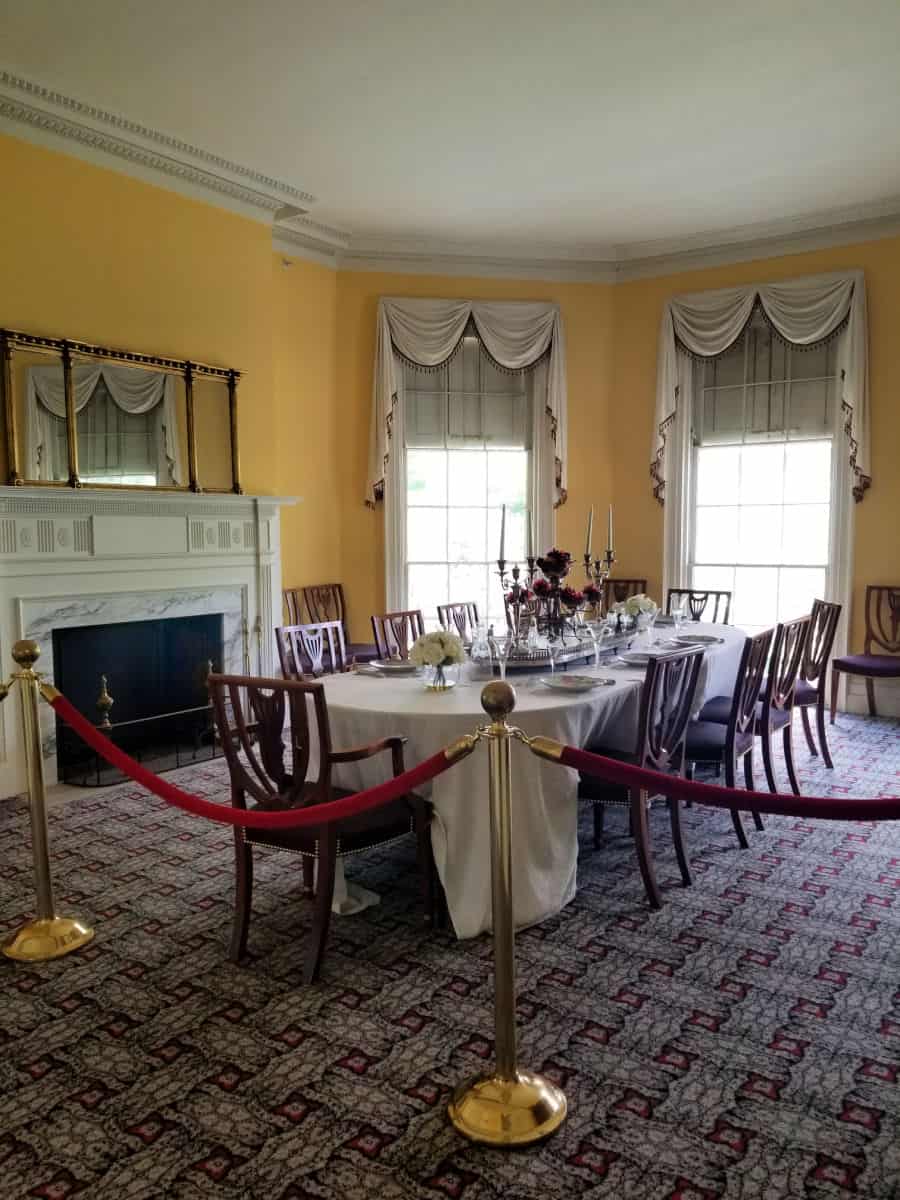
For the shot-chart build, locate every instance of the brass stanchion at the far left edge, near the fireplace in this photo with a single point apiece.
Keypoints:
(49, 935)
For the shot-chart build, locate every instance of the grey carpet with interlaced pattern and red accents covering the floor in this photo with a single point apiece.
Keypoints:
(742, 1043)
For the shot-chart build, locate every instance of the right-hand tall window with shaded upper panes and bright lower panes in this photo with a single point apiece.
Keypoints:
(764, 469)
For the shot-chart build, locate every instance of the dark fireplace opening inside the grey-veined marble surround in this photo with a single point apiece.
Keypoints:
(157, 677)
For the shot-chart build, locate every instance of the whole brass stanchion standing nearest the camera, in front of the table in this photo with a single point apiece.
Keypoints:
(508, 1107)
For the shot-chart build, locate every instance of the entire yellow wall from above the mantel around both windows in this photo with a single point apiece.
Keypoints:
(91, 254)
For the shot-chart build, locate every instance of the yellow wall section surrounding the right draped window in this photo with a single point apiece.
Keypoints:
(639, 307)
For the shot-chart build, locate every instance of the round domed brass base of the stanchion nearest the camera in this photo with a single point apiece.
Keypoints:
(508, 1113)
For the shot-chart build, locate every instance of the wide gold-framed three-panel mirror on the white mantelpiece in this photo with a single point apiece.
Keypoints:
(80, 416)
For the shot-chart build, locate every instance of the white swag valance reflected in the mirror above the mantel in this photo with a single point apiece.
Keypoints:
(133, 389)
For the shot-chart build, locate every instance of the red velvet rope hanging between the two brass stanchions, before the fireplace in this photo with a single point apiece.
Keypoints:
(253, 819)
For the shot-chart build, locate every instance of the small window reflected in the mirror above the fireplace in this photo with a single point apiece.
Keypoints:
(115, 447)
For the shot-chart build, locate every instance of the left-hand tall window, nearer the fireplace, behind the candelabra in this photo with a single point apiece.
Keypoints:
(469, 434)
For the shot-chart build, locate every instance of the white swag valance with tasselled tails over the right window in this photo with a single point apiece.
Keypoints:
(803, 311)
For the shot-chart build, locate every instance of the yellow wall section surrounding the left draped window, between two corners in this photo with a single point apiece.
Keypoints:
(589, 320)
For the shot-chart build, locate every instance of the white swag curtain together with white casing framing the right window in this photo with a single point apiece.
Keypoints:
(705, 325)
